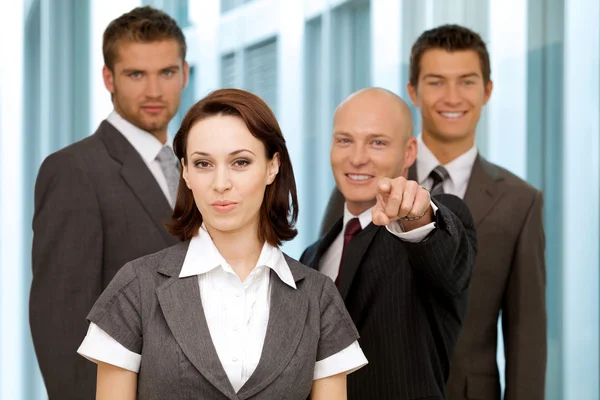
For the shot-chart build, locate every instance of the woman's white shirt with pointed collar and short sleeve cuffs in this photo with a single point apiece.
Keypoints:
(236, 312)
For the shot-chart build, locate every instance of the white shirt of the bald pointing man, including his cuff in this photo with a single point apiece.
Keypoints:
(330, 263)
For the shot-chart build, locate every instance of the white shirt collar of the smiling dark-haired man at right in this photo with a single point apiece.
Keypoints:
(458, 169)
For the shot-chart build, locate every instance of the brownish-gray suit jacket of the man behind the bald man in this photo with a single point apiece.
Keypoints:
(509, 278)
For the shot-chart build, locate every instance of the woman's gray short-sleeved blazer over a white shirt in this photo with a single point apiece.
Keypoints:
(151, 311)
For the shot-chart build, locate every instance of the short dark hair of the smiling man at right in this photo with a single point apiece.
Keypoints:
(450, 38)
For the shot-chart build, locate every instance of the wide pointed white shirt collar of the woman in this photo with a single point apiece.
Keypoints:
(202, 257)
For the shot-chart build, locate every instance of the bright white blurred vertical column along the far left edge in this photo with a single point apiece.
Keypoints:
(13, 327)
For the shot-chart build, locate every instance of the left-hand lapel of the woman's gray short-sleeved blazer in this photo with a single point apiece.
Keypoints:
(181, 305)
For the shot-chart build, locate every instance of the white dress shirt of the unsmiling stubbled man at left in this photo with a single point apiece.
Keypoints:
(147, 145)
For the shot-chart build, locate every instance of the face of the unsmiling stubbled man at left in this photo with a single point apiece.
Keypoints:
(146, 84)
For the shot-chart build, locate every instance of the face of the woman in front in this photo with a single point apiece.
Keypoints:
(227, 171)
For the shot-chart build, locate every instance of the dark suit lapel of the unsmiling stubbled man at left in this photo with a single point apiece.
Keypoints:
(139, 178)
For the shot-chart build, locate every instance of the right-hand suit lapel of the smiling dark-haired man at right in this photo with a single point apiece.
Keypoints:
(482, 190)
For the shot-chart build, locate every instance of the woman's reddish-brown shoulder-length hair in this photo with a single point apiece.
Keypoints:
(279, 210)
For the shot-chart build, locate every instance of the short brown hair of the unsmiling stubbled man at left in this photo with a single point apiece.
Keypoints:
(141, 25)
